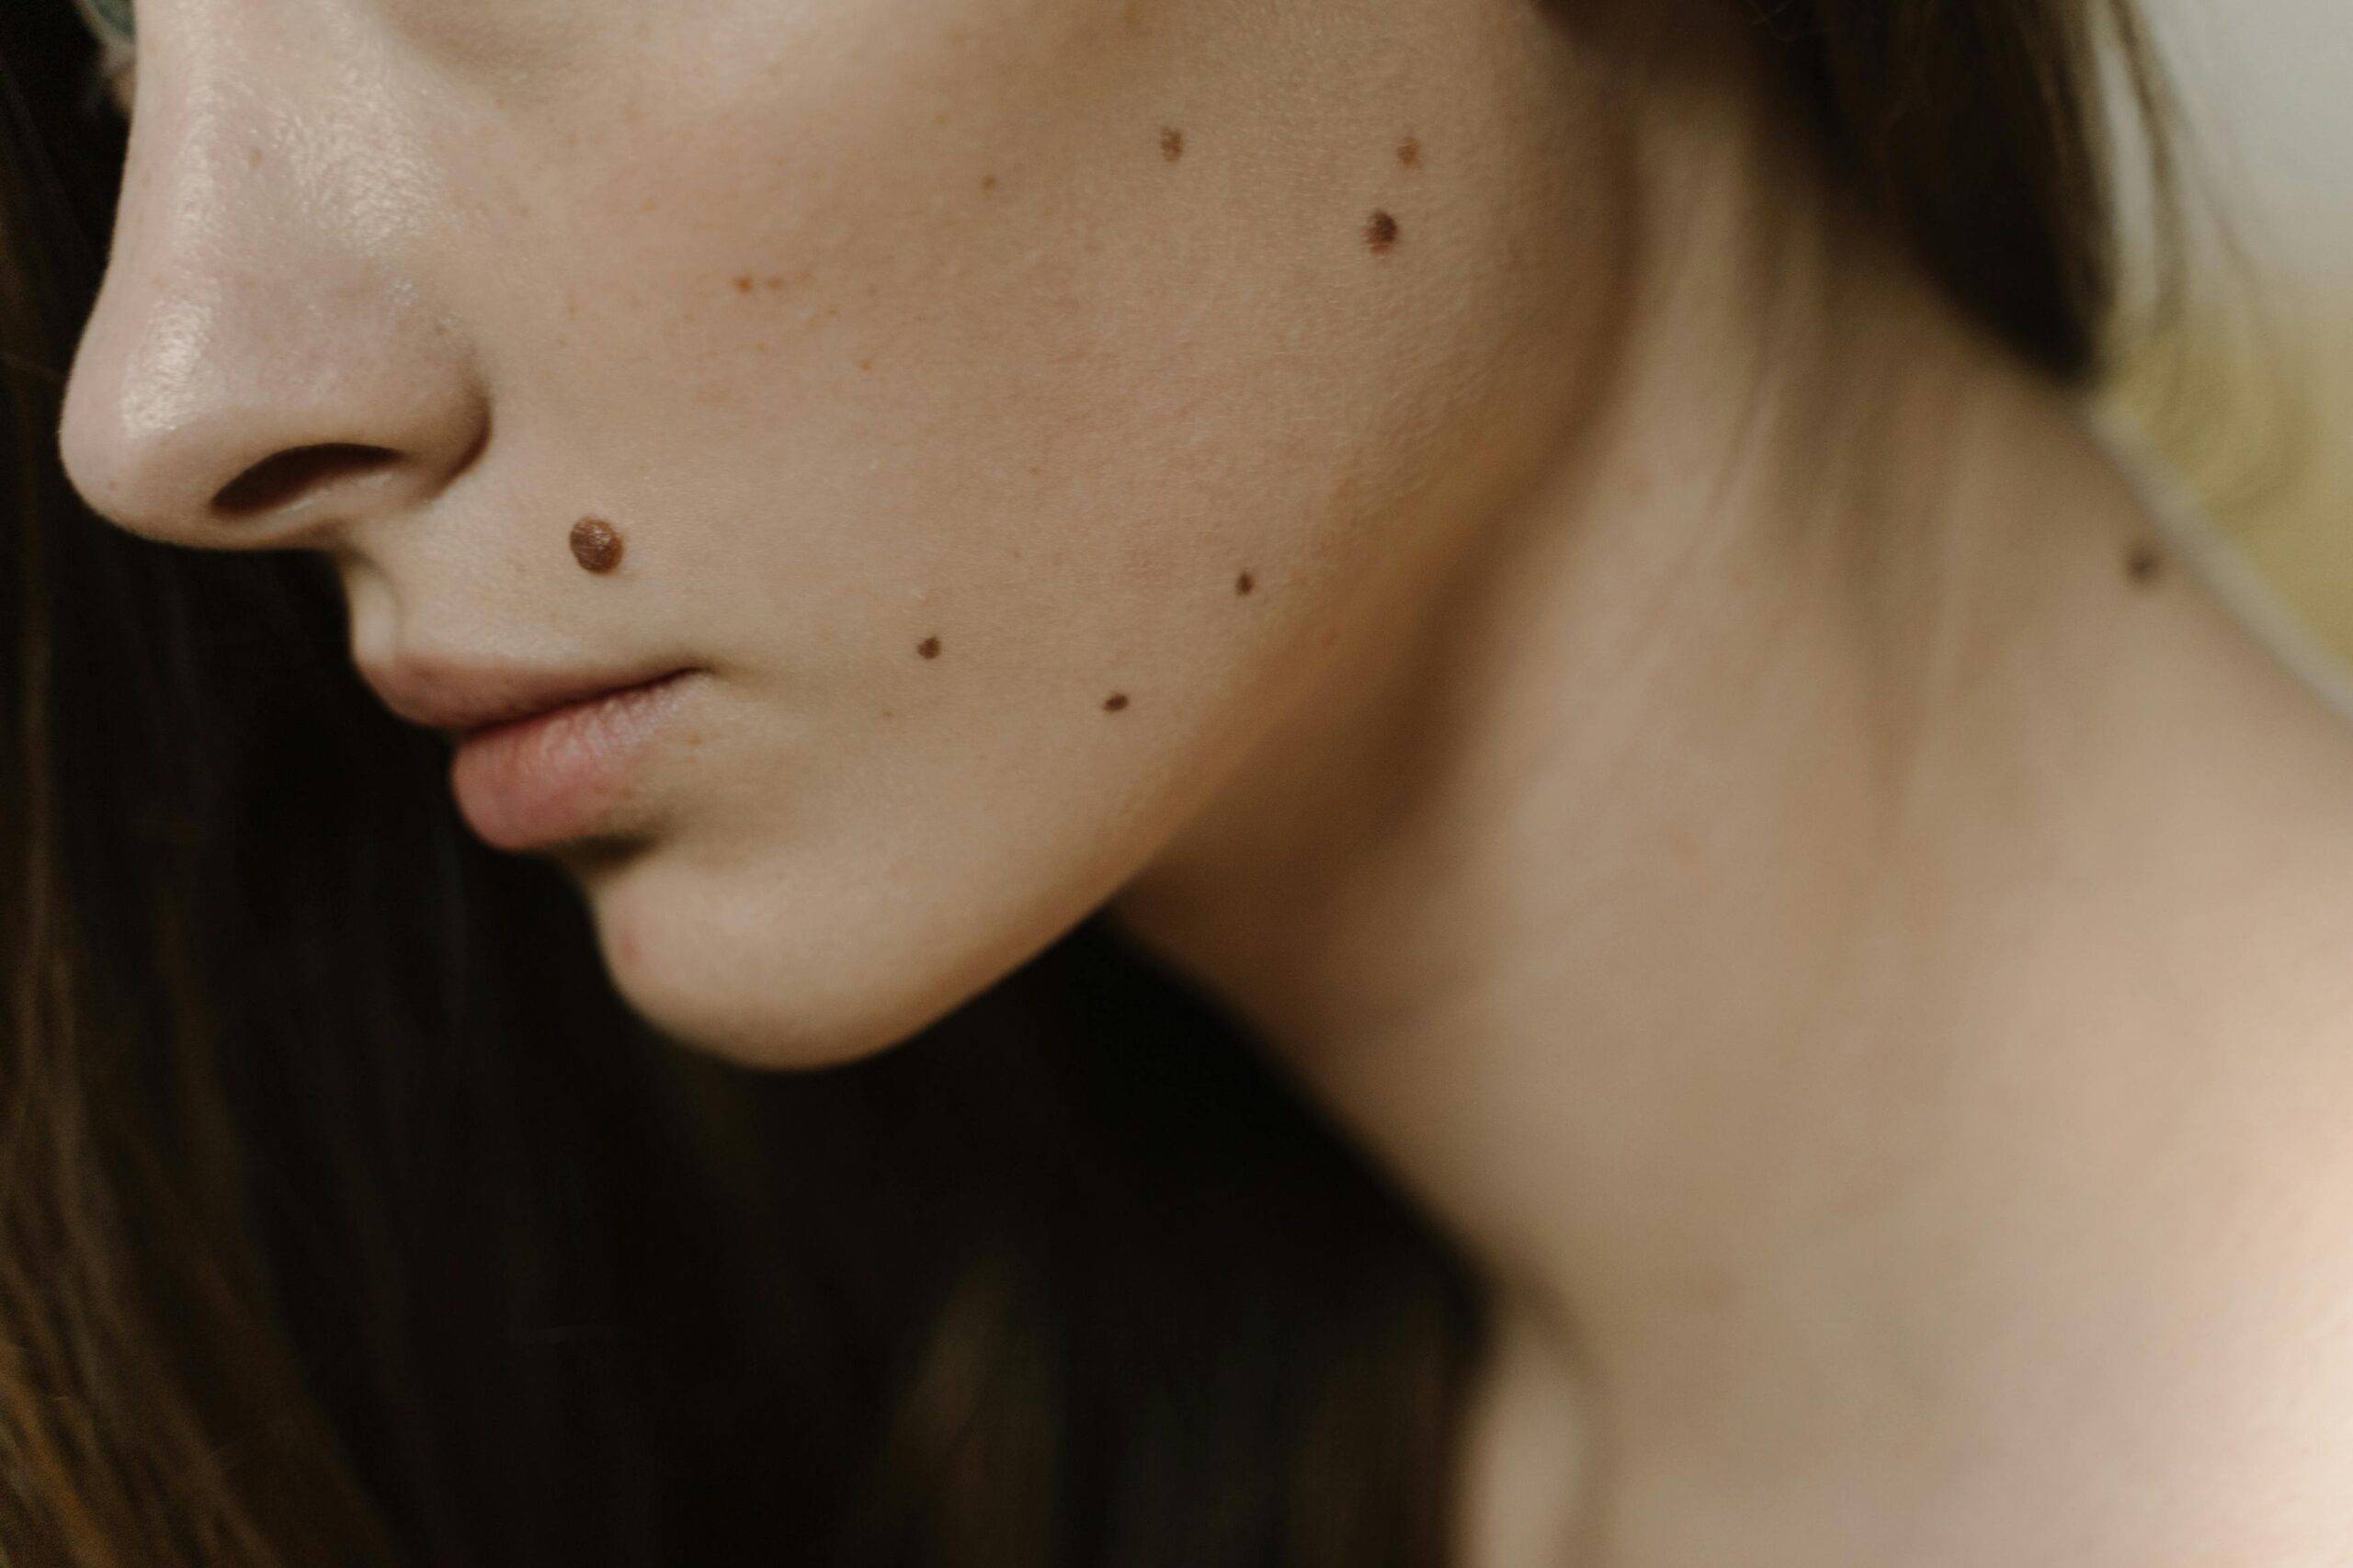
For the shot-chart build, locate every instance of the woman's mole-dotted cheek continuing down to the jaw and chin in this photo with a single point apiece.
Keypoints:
(1013, 430)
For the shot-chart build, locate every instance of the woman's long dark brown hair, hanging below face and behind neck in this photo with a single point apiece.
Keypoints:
(347, 1216)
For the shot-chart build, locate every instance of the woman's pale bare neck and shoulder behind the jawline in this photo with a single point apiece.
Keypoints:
(1839, 950)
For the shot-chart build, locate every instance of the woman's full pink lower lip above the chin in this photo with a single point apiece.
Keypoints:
(559, 776)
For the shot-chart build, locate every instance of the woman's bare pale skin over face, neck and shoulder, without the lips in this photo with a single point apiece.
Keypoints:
(1693, 780)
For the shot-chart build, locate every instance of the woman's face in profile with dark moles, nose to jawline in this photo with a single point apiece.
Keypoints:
(1004, 406)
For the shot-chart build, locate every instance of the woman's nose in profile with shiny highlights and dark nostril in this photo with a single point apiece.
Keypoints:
(267, 366)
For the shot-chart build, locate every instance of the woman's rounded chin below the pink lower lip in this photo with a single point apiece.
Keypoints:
(721, 962)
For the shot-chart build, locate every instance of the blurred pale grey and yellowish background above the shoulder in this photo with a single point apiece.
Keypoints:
(2251, 383)
